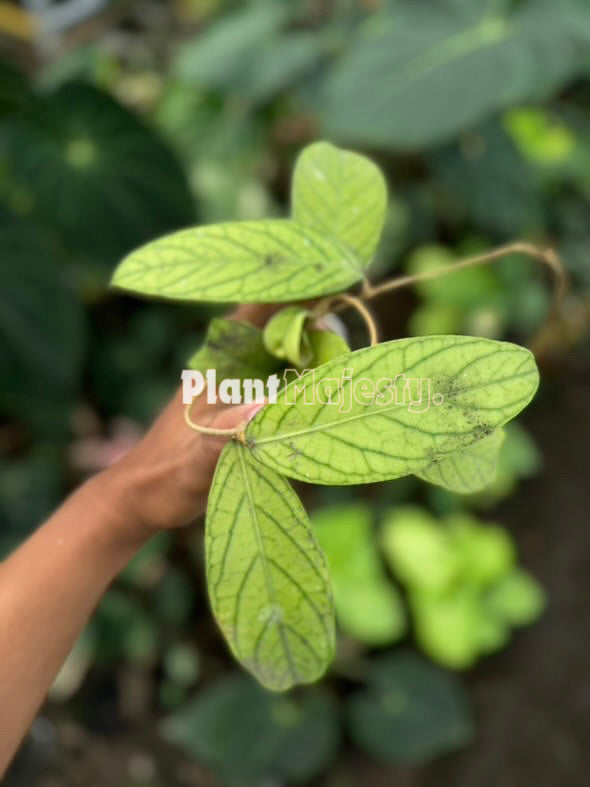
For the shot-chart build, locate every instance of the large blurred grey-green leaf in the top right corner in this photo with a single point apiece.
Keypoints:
(416, 74)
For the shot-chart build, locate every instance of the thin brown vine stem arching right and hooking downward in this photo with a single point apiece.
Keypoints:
(544, 255)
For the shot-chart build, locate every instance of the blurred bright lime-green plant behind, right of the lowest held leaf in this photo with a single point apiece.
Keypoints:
(463, 588)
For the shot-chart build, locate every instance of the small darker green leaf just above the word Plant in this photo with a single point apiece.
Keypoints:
(236, 350)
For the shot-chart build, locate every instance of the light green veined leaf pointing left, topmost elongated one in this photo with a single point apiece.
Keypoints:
(255, 261)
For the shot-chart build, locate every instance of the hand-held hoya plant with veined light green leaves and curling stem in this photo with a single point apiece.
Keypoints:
(431, 406)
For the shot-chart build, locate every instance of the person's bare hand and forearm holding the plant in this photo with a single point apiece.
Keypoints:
(50, 586)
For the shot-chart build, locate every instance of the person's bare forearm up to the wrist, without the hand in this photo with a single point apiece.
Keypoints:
(48, 589)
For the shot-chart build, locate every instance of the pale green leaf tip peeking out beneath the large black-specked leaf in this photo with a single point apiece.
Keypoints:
(469, 470)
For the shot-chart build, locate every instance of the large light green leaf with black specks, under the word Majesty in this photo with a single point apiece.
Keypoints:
(364, 436)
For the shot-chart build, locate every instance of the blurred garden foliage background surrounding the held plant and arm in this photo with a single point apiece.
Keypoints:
(123, 120)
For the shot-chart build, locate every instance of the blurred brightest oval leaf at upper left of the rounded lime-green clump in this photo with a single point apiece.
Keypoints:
(419, 550)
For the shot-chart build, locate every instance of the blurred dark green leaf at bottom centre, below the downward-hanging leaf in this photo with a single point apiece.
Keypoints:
(252, 737)
